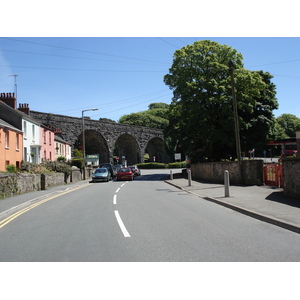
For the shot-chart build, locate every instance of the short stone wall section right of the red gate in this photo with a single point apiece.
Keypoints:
(291, 177)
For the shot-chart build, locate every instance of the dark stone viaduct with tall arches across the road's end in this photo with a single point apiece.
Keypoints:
(108, 139)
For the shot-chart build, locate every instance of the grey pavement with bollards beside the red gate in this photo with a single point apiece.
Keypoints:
(267, 204)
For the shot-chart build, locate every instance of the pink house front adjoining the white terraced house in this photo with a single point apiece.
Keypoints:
(47, 143)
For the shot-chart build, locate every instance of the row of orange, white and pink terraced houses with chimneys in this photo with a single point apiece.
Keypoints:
(34, 141)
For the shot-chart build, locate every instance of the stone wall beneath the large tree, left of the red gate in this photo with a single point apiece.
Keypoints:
(252, 172)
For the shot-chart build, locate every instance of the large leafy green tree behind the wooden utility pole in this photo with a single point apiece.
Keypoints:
(201, 119)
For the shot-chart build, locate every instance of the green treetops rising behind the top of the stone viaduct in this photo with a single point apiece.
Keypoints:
(155, 117)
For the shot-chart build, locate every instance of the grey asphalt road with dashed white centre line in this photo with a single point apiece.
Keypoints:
(140, 221)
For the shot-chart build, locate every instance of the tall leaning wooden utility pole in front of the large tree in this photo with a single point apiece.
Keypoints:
(236, 120)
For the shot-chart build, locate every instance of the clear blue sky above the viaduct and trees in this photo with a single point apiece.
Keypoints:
(121, 75)
